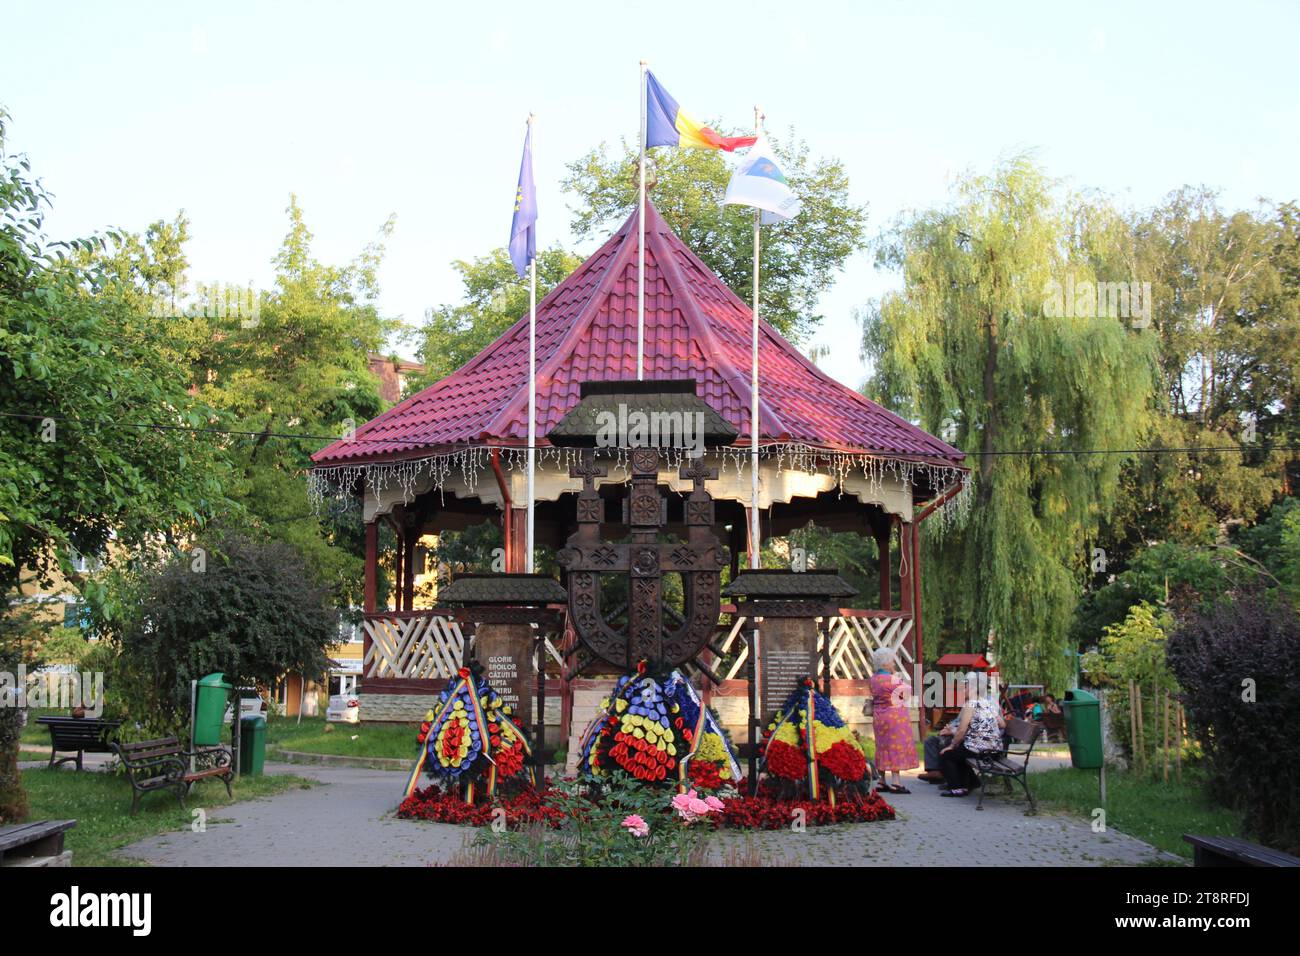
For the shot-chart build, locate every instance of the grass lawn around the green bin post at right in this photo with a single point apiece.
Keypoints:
(1141, 806)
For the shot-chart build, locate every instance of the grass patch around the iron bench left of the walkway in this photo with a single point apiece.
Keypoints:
(102, 803)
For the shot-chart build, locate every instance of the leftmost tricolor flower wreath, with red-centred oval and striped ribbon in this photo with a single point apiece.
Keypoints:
(471, 741)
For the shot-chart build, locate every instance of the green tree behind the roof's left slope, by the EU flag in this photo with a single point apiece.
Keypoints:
(495, 300)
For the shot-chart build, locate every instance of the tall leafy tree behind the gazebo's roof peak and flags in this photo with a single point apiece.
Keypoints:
(800, 258)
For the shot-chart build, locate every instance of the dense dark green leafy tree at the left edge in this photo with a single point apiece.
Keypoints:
(80, 371)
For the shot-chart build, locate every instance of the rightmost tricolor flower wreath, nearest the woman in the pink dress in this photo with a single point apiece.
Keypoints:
(809, 743)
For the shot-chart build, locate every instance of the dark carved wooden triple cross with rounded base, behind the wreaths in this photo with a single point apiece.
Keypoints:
(644, 560)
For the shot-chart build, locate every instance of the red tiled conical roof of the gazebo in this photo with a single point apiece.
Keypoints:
(587, 330)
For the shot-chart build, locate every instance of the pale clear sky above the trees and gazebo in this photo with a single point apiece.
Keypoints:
(135, 111)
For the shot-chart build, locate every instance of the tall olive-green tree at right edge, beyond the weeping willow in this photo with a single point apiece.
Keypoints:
(1227, 318)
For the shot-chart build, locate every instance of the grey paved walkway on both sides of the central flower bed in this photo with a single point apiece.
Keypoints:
(349, 820)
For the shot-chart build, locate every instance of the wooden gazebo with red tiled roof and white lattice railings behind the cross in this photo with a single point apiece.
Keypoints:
(454, 456)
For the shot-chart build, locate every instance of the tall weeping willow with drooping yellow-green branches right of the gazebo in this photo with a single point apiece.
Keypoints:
(999, 343)
